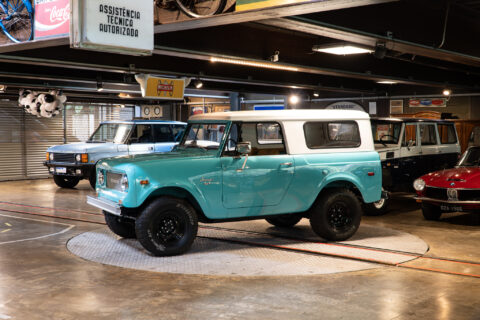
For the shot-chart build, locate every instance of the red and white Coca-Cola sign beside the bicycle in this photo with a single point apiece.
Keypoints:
(52, 18)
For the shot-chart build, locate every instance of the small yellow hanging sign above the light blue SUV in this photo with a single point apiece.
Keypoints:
(161, 88)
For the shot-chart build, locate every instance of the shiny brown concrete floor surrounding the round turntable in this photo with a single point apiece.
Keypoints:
(41, 279)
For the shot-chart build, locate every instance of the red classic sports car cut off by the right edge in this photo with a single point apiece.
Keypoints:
(456, 189)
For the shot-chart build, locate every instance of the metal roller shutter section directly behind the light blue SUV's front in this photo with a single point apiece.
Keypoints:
(40, 134)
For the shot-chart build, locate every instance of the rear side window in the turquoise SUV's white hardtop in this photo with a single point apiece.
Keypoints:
(338, 134)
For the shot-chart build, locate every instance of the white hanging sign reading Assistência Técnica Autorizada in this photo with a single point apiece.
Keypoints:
(119, 26)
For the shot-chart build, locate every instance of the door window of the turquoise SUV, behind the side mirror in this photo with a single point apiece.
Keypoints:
(266, 138)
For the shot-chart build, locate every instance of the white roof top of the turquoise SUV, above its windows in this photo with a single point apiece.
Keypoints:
(284, 115)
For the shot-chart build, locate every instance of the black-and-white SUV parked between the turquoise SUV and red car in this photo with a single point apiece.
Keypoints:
(409, 148)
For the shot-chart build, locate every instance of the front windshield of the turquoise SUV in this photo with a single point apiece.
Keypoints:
(206, 136)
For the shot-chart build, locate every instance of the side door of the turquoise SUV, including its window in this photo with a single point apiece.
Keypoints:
(262, 178)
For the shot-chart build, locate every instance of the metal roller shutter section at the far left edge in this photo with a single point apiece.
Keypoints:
(11, 142)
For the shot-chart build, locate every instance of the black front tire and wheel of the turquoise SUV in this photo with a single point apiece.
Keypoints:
(167, 226)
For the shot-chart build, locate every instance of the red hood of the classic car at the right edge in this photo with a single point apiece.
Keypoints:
(461, 177)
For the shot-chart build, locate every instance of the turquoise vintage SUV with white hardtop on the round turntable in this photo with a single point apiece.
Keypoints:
(281, 166)
